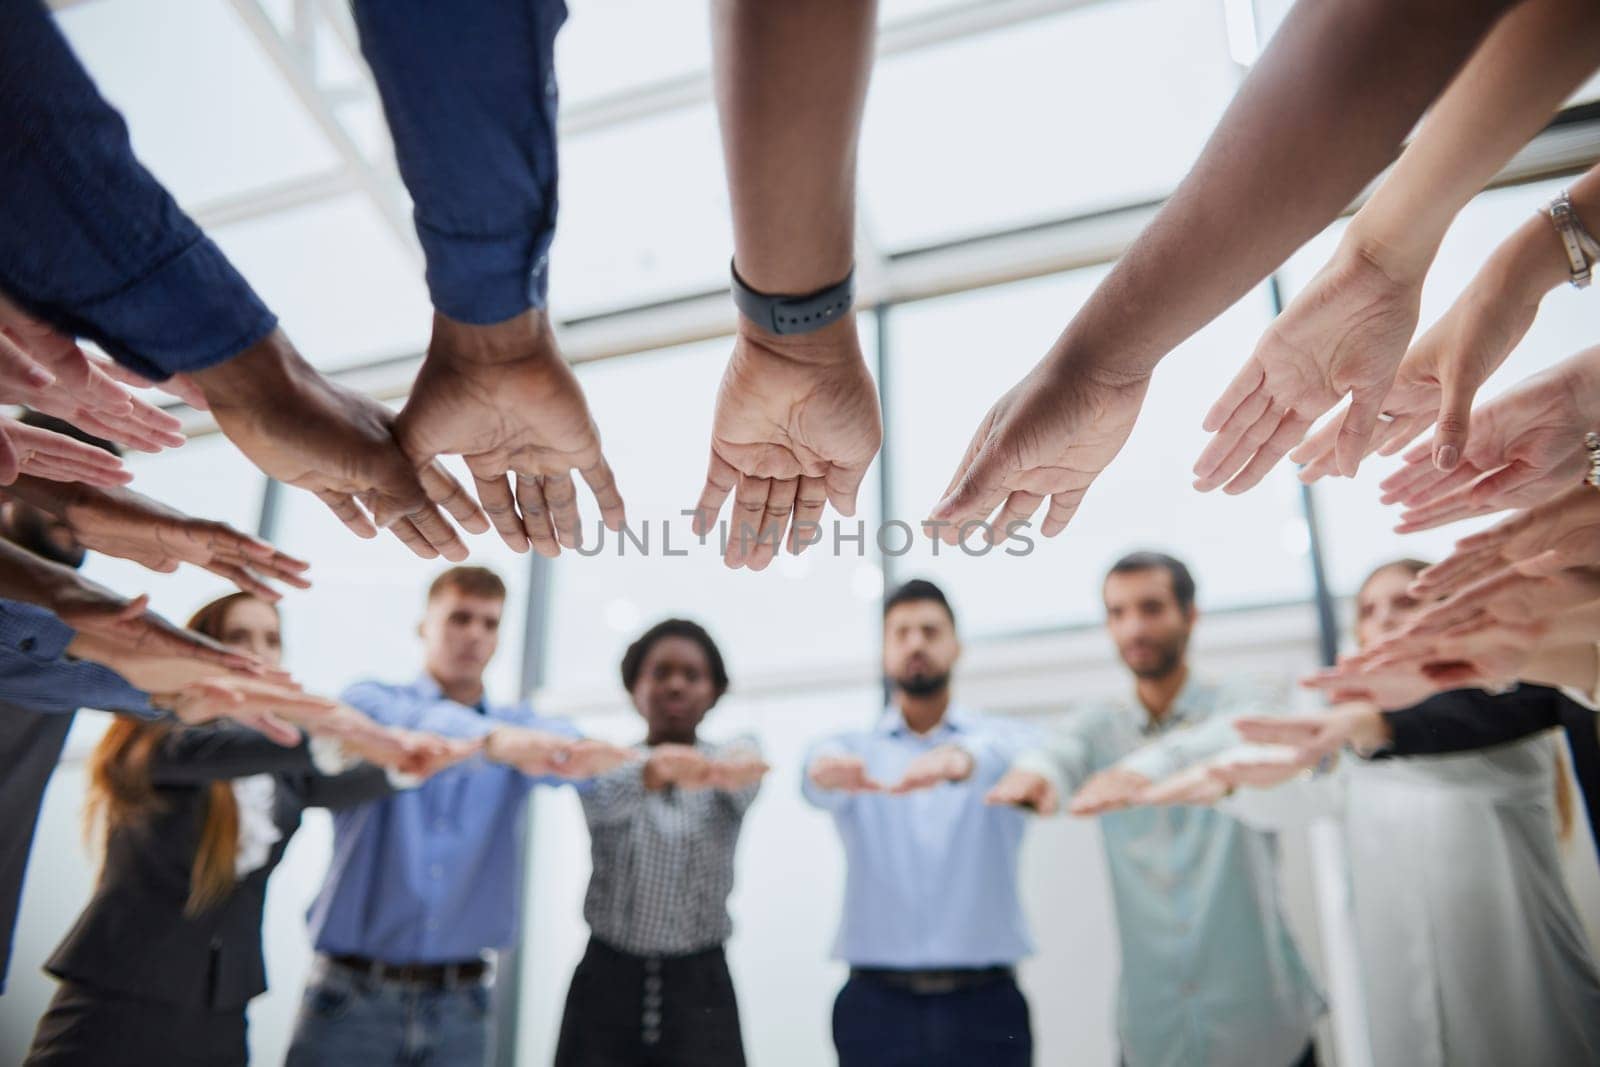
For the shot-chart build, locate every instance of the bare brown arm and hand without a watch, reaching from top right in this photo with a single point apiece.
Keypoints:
(1308, 129)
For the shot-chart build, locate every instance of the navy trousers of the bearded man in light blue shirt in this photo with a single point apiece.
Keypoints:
(878, 1025)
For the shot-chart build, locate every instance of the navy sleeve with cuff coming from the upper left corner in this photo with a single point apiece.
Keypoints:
(92, 242)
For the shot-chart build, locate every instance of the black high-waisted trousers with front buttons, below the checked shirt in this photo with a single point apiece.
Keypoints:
(650, 1012)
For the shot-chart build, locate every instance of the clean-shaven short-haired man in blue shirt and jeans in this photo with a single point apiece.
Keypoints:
(423, 884)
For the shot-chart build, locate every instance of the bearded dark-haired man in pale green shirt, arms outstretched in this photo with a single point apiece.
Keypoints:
(1210, 973)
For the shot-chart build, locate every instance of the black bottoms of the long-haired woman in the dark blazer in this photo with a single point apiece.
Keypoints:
(97, 1028)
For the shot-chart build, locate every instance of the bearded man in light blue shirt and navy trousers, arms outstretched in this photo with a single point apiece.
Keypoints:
(932, 927)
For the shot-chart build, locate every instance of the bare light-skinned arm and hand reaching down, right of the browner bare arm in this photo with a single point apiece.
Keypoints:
(1350, 329)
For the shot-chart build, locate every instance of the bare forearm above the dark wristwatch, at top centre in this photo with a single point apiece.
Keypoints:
(791, 86)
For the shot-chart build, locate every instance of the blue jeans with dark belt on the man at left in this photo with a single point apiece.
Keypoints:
(348, 1018)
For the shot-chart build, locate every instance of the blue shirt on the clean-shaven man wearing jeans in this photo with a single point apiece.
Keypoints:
(430, 874)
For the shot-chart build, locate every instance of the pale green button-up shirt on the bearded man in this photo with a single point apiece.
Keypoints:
(1210, 973)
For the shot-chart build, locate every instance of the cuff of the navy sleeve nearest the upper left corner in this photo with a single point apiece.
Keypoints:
(191, 313)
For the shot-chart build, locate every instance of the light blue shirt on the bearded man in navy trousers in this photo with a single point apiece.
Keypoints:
(930, 876)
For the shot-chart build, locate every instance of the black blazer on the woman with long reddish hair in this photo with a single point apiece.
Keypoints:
(135, 937)
